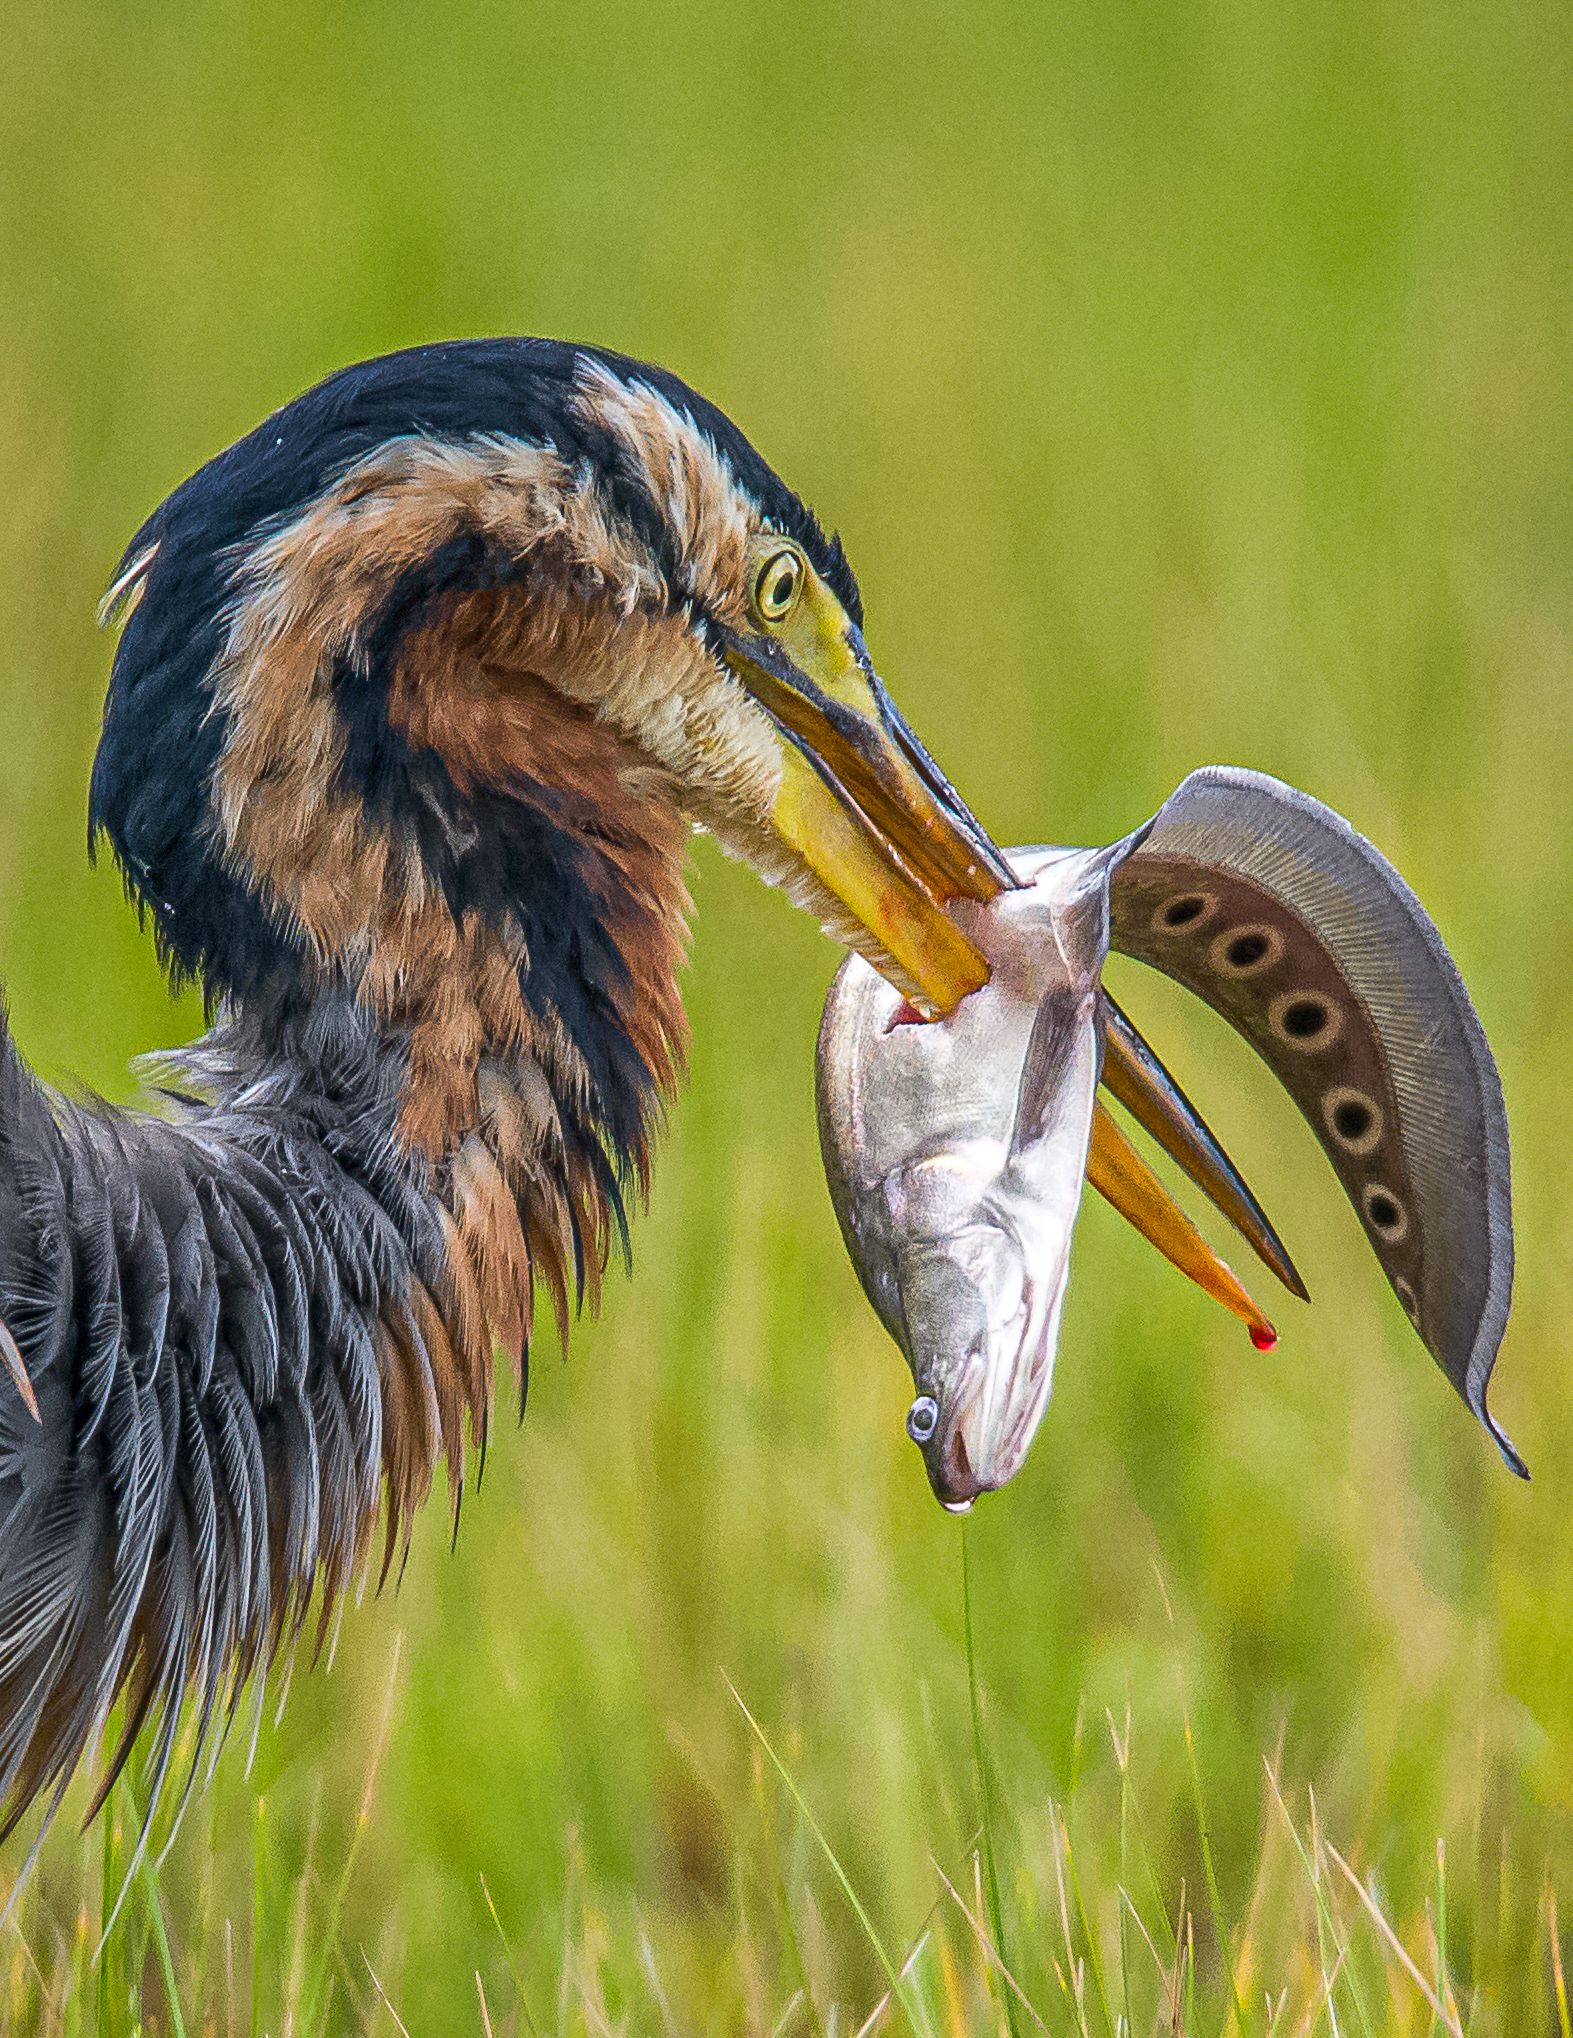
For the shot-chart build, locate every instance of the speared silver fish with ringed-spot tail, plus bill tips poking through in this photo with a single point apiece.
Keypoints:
(957, 1150)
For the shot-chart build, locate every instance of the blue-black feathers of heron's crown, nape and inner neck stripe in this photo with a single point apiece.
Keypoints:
(148, 800)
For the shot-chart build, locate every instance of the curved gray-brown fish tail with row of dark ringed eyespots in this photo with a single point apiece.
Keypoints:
(1291, 924)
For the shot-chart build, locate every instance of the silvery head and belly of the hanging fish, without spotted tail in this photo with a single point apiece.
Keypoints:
(957, 1155)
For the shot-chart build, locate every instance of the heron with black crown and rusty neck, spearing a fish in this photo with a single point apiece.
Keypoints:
(419, 694)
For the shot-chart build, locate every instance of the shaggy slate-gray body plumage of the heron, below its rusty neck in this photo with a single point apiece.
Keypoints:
(201, 1309)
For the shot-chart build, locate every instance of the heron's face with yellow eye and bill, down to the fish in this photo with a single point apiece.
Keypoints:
(757, 694)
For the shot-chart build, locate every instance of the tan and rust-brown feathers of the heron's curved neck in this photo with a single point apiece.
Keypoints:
(498, 1097)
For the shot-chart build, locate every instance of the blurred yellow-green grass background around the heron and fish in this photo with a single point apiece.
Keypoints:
(1189, 384)
